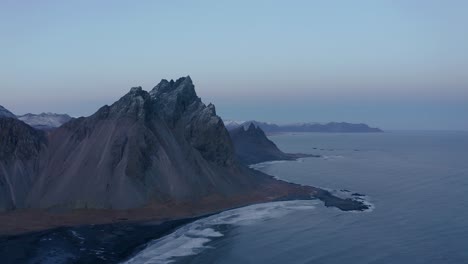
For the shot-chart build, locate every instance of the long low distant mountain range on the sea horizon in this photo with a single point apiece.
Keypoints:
(331, 127)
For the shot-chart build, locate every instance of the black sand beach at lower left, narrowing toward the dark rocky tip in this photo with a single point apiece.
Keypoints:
(111, 242)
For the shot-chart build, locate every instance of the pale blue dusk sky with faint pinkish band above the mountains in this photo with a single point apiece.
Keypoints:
(391, 64)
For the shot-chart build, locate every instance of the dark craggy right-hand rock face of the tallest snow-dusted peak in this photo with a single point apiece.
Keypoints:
(191, 120)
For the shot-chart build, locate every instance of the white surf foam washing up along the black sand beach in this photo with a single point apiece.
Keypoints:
(191, 239)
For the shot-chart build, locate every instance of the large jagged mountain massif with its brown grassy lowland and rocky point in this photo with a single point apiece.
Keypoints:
(151, 155)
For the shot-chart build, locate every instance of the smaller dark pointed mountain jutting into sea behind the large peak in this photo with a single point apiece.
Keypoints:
(252, 146)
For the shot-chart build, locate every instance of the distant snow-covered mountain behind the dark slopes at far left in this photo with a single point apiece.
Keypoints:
(45, 121)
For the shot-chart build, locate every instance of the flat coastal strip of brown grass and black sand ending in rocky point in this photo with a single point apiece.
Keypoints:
(92, 236)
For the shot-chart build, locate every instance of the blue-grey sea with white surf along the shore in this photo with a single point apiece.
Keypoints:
(417, 183)
